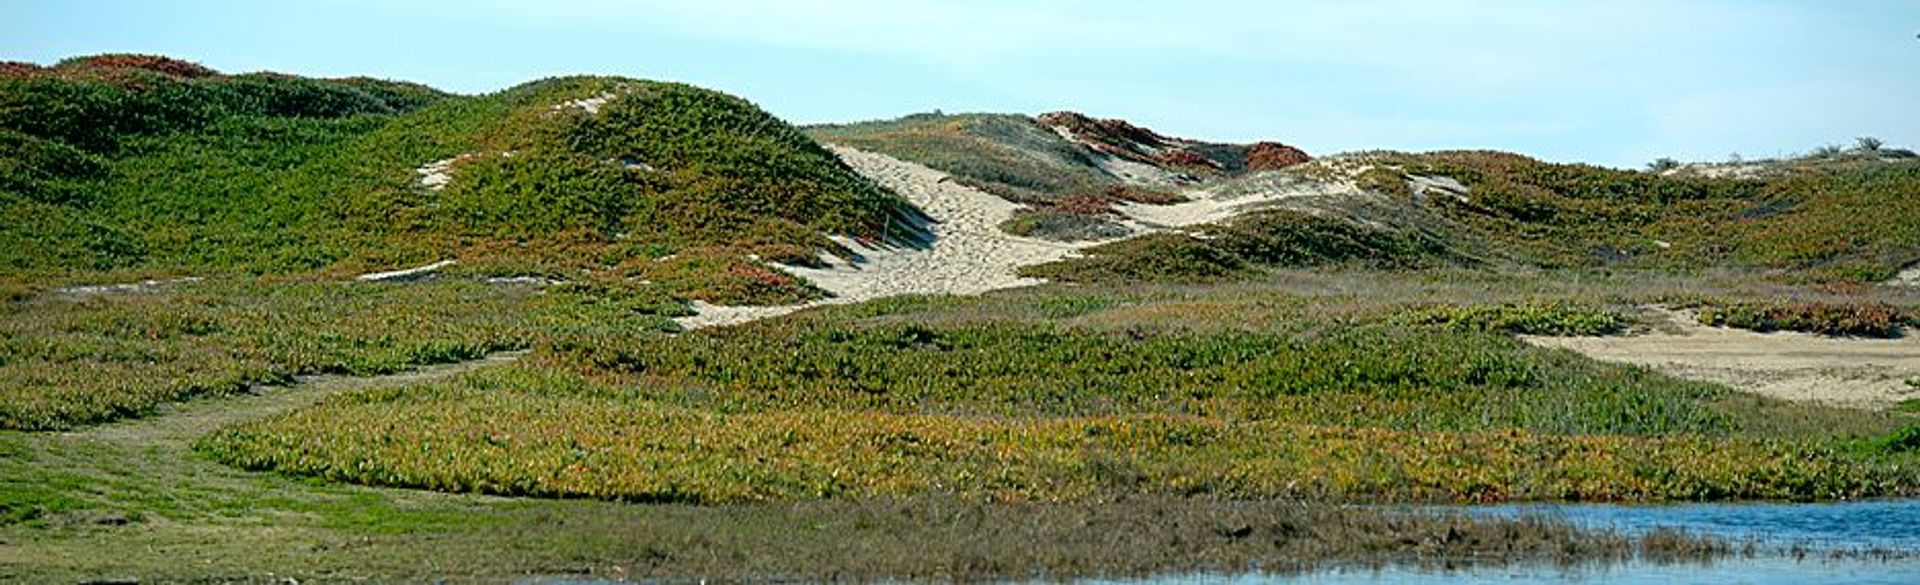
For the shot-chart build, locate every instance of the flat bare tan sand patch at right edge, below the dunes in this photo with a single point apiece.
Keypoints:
(1787, 365)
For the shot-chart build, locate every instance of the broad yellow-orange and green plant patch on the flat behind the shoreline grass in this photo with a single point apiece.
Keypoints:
(901, 400)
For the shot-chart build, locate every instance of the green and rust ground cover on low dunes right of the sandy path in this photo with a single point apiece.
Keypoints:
(1831, 225)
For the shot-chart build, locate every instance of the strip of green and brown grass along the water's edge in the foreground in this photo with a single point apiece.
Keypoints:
(114, 511)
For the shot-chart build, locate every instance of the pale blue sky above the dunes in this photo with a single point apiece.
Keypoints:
(1616, 83)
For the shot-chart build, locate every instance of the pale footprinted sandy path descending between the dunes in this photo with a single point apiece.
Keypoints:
(971, 254)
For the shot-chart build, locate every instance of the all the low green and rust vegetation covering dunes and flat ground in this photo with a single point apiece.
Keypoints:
(1184, 400)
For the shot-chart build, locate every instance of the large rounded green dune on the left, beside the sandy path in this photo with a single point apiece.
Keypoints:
(158, 168)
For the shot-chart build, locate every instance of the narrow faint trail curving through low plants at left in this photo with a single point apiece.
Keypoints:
(176, 427)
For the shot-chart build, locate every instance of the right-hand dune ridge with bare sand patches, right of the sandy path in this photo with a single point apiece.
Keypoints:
(1212, 212)
